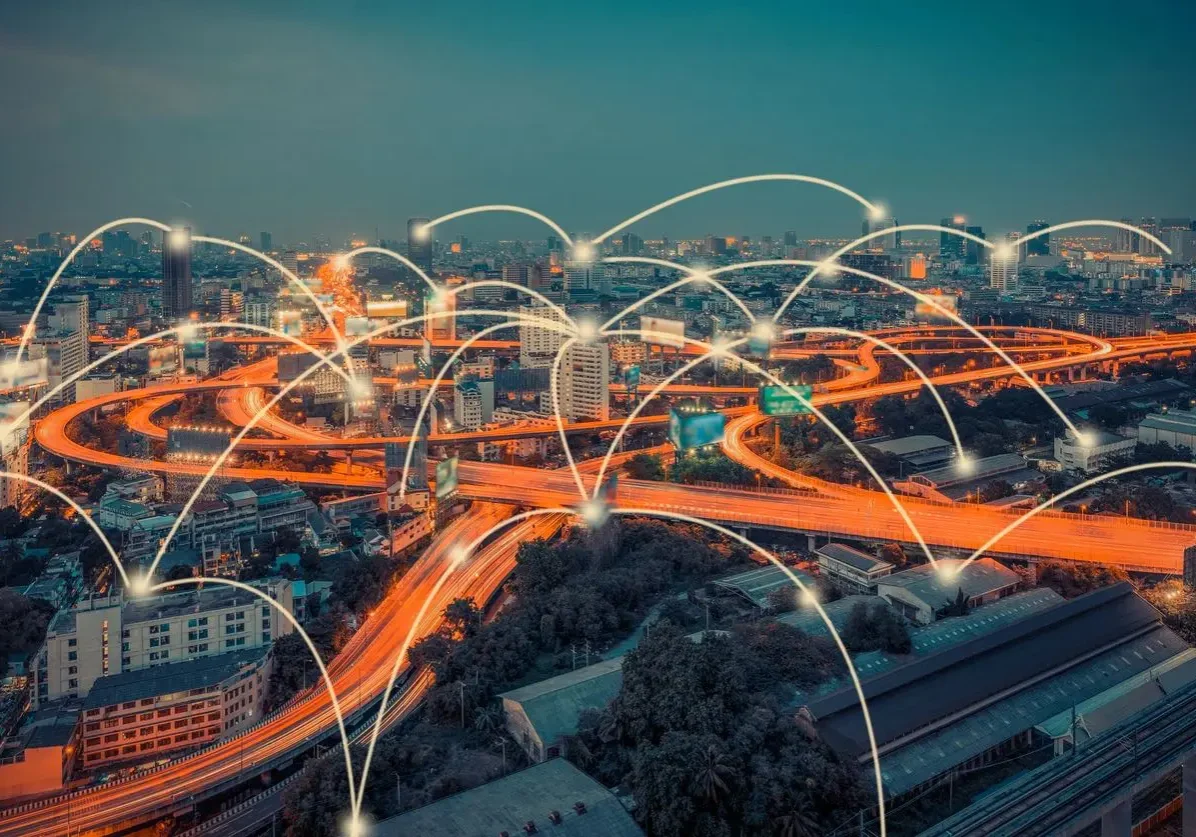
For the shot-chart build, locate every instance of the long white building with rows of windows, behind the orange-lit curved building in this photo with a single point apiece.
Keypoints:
(100, 638)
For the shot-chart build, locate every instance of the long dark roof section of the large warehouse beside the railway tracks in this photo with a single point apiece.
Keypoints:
(932, 688)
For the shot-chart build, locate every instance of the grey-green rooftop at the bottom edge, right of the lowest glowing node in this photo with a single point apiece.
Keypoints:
(508, 804)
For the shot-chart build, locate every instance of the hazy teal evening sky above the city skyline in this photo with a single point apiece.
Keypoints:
(335, 118)
